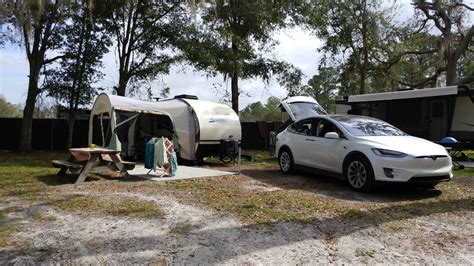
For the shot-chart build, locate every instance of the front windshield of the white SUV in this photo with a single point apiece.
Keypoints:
(367, 126)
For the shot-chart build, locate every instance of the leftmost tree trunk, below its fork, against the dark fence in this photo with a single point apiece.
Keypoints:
(28, 111)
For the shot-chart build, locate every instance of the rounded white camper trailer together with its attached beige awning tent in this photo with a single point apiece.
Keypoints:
(196, 126)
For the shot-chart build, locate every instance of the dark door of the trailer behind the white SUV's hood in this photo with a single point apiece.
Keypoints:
(438, 119)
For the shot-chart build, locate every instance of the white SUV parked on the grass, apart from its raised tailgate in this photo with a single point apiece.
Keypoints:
(362, 150)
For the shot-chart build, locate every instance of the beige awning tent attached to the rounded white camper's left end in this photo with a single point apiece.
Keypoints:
(127, 124)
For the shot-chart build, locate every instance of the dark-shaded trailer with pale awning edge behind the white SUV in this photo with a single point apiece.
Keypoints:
(431, 113)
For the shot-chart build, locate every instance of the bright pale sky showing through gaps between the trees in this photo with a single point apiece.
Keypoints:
(296, 46)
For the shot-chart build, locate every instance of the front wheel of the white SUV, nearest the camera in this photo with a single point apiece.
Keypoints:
(359, 174)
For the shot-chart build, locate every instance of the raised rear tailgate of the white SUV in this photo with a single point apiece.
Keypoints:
(299, 107)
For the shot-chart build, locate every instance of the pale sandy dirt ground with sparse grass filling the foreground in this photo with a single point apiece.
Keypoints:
(395, 225)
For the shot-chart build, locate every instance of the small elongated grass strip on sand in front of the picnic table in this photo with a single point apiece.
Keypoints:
(125, 206)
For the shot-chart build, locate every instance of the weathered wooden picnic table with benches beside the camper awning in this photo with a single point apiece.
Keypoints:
(85, 160)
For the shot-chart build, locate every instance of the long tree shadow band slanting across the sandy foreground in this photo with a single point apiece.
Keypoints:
(222, 244)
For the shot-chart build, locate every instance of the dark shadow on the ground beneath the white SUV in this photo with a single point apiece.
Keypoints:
(338, 188)
